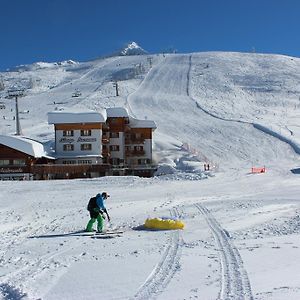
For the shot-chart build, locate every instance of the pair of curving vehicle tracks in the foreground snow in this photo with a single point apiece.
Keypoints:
(235, 283)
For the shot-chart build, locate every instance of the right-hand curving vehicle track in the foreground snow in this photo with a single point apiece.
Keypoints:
(235, 282)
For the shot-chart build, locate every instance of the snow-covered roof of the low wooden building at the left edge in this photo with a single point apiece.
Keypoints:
(25, 145)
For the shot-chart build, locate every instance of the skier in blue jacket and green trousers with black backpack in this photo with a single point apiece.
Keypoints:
(97, 208)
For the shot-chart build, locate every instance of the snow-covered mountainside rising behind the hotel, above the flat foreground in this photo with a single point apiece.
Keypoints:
(231, 109)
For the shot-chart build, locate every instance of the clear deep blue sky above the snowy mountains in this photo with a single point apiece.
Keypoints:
(56, 30)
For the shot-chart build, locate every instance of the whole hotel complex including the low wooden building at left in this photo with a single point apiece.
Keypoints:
(87, 144)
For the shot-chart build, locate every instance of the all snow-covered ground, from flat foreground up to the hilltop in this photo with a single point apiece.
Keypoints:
(241, 239)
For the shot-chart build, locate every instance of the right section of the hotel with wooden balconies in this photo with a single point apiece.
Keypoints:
(129, 145)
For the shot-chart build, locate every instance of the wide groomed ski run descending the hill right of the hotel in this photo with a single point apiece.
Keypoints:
(169, 88)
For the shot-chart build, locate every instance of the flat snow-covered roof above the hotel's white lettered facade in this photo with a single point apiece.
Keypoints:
(72, 116)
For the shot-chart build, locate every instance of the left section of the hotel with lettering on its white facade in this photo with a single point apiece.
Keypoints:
(78, 144)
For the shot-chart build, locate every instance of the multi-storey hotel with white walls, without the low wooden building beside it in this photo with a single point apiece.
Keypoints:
(109, 142)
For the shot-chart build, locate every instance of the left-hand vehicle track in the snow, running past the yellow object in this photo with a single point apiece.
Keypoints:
(164, 271)
